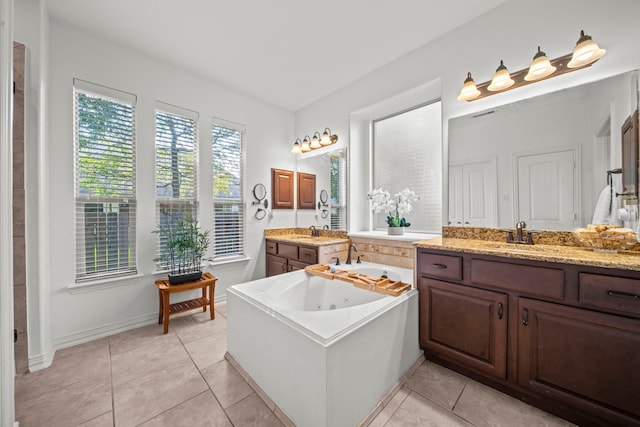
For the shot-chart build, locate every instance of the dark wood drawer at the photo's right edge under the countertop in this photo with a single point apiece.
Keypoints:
(610, 293)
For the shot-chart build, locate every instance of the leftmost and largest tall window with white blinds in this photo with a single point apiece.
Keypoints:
(105, 192)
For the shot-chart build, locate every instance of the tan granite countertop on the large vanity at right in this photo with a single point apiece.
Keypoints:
(626, 260)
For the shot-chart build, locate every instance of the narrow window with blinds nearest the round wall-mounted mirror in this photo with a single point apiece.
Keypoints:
(228, 182)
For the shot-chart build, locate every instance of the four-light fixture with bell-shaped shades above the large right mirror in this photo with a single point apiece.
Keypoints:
(585, 54)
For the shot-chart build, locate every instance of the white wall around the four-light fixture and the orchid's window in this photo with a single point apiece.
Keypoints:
(511, 32)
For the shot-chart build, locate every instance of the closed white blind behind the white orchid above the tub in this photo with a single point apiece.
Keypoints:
(407, 153)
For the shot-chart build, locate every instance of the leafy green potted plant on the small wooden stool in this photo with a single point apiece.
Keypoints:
(184, 246)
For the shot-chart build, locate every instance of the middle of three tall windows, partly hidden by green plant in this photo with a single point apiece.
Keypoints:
(176, 169)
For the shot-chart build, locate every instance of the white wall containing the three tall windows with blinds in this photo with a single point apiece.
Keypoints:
(75, 53)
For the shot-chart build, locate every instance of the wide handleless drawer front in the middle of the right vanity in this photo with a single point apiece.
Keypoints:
(526, 279)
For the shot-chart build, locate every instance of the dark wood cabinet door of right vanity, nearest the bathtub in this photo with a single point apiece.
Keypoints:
(465, 325)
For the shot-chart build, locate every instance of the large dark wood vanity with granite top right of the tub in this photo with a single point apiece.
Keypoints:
(556, 326)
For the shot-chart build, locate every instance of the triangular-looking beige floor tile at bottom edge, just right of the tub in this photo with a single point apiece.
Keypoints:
(415, 410)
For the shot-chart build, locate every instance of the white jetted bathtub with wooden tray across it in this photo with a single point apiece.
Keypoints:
(323, 350)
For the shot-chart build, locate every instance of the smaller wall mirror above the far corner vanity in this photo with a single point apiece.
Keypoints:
(330, 169)
